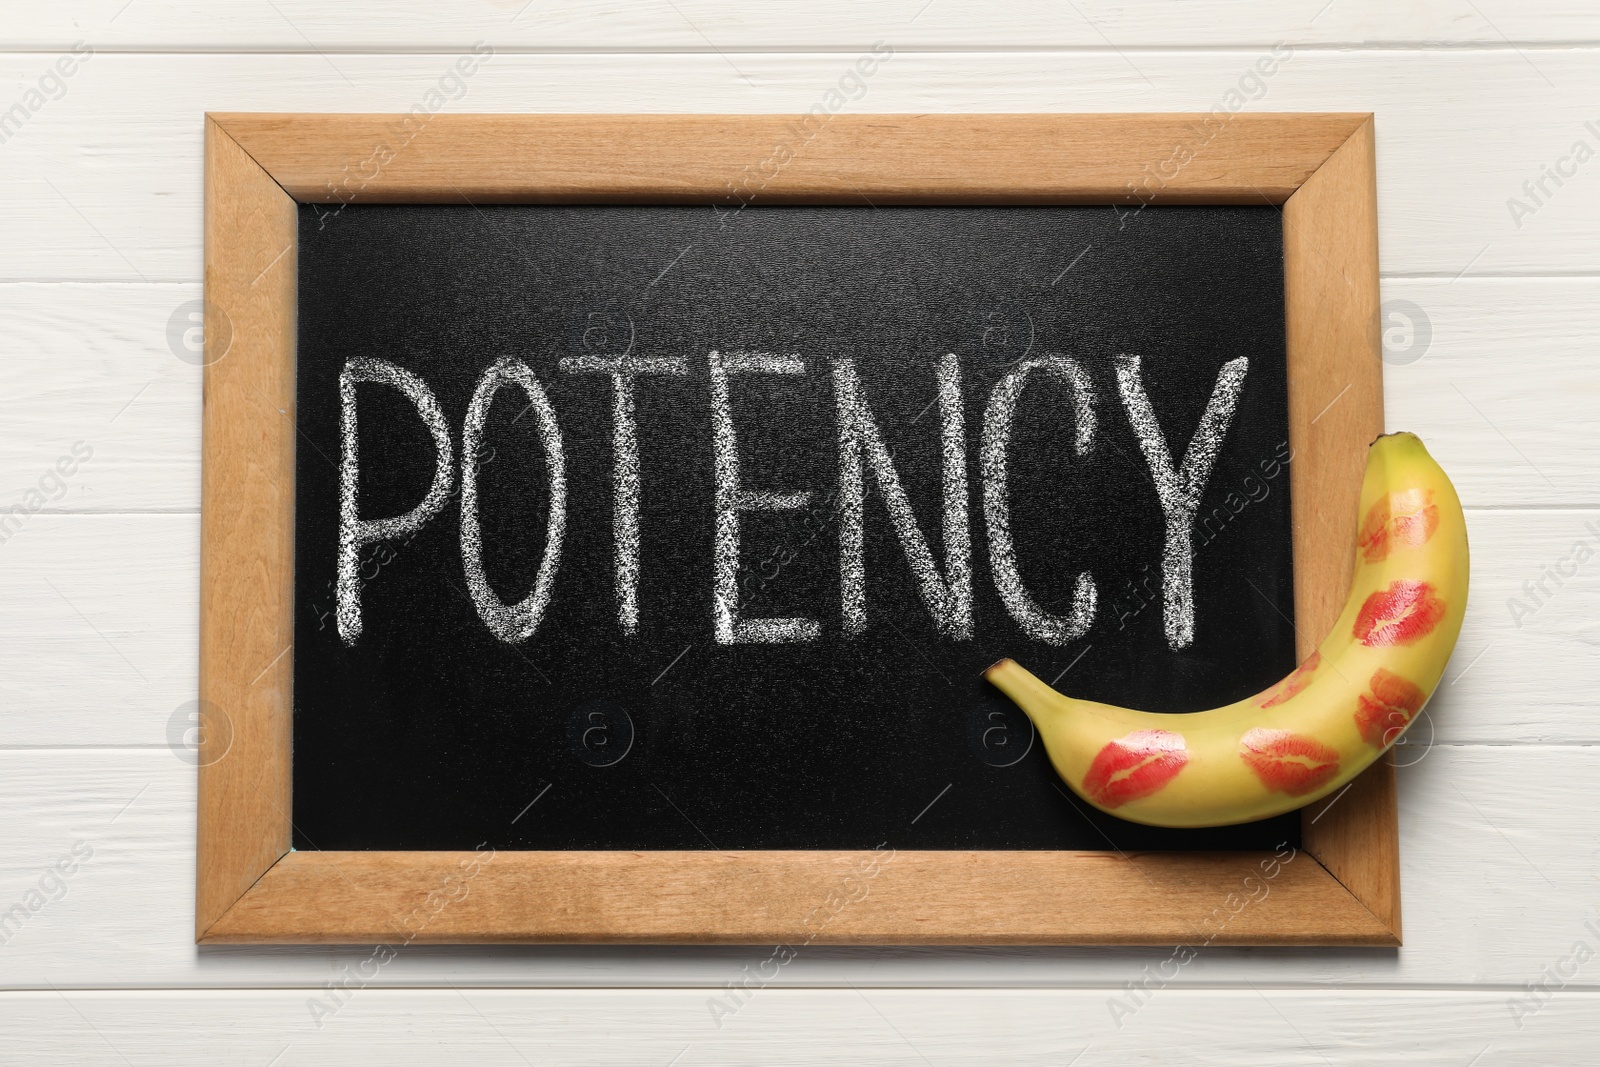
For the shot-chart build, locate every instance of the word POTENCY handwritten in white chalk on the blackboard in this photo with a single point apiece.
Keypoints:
(945, 588)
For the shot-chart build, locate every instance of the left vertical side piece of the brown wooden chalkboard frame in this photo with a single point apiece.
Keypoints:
(247, 545)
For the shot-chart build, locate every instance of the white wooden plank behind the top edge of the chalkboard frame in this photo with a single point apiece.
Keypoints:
(135, 118)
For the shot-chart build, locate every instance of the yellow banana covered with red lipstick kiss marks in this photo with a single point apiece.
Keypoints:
(1324, 724)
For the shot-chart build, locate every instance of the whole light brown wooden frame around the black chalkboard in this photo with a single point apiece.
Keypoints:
(1343, 889)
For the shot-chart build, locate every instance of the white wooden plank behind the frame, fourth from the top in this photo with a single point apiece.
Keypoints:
(127, 586)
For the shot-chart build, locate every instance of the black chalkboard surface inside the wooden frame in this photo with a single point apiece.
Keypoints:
(538, 687)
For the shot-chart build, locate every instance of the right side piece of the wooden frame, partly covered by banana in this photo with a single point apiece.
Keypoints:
(1335, 351)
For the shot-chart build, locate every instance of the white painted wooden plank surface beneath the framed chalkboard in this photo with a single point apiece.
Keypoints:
(1495, 362)
